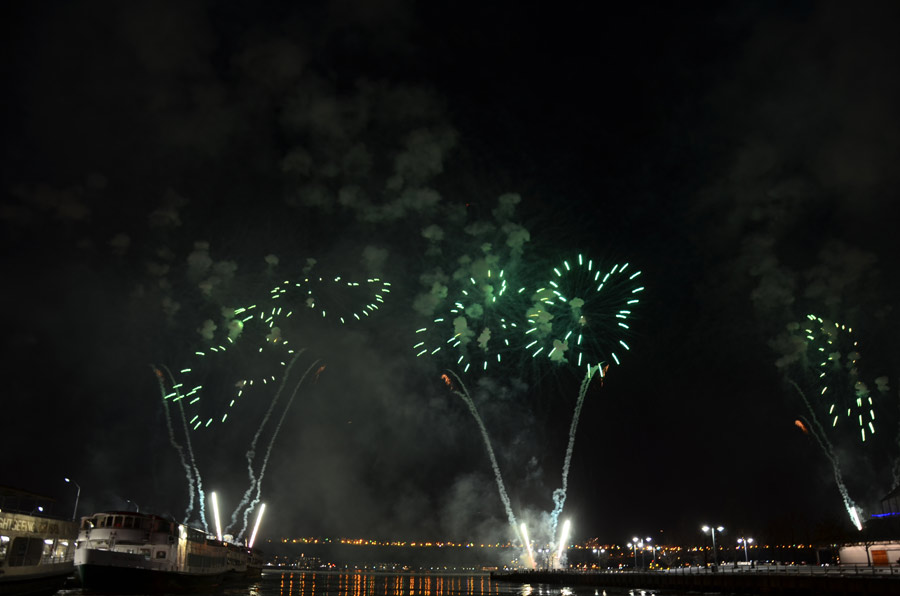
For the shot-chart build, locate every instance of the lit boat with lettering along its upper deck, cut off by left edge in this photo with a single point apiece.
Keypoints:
(36, 551)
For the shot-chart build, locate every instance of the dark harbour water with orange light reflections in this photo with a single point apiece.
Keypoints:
(372, 583)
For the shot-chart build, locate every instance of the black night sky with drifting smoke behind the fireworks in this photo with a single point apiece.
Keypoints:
(163, 161)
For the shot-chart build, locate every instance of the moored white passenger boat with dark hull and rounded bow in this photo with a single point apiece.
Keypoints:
(125, 551)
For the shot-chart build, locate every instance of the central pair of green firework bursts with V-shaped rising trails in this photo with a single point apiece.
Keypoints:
(580, 317)
